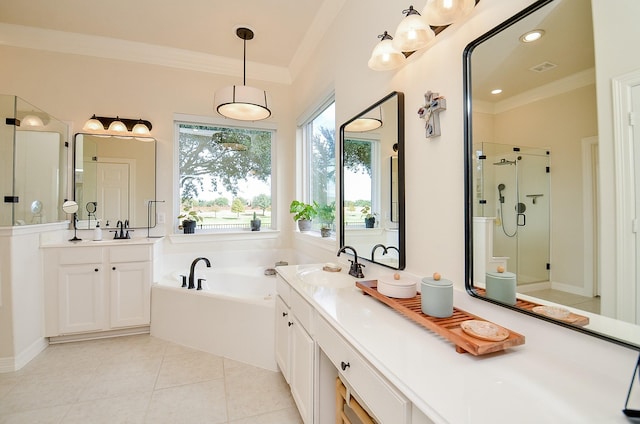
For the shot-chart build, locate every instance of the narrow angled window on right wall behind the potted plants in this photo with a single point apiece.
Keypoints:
(320, 159)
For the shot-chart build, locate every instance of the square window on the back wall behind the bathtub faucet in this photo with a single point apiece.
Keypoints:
(225, 175)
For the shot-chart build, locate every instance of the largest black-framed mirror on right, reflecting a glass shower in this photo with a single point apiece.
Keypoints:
(538, 143)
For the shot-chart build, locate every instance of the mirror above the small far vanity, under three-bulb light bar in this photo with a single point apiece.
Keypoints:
(114, 180)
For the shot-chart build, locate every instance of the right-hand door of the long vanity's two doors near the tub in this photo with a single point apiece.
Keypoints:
(302, 354)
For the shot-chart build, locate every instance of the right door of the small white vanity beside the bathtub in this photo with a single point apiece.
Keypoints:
(130, 287)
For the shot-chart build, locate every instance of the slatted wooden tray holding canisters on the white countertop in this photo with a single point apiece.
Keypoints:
(449, 328)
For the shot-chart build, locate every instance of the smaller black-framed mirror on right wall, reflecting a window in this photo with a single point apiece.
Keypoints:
(372, 182)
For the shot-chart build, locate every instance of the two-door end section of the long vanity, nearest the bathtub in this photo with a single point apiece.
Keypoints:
(295, 348)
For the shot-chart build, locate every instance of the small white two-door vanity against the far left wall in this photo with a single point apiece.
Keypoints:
(98, 288)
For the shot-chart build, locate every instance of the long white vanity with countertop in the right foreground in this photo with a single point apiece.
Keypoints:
(402, 373)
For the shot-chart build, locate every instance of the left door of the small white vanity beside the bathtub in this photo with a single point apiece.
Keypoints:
(81, 298)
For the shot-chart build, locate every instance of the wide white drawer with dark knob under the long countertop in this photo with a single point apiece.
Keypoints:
(386, 403)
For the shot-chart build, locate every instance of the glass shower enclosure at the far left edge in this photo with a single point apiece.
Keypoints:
(33, 164)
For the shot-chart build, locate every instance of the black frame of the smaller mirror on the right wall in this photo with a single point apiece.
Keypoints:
(401, 176)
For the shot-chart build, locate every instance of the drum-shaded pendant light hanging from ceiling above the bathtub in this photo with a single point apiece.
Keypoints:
(242, 102)
